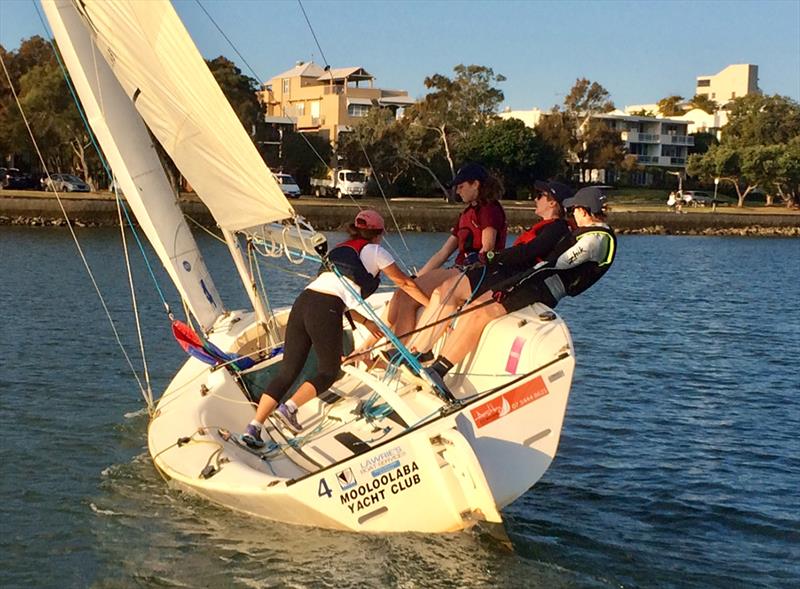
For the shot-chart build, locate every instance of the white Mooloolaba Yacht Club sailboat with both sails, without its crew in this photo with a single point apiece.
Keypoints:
(380, 451)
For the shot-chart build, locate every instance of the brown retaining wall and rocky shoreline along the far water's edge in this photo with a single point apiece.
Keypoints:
(38, 209)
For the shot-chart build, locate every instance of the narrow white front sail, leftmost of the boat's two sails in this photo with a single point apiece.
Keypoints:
(131, 154)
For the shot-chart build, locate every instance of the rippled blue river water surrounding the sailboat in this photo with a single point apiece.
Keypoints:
(679, 463)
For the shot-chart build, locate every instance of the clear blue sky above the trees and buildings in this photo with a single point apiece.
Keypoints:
(639, 51)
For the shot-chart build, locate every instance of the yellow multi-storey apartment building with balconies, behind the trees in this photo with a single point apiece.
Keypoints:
(328, 102)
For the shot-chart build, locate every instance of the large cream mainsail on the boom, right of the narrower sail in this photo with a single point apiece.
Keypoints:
(158, 65)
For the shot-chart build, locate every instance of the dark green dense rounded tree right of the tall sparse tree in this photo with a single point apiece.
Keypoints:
(512, 150)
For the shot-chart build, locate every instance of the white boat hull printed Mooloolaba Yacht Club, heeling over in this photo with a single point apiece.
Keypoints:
(417, 470)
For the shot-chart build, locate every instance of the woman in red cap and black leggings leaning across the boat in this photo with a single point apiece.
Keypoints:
(350, 275)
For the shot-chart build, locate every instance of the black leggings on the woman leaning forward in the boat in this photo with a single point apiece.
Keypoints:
(315, 320)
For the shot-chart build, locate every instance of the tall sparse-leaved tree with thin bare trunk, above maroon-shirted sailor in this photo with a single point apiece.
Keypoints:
(457, 104)
